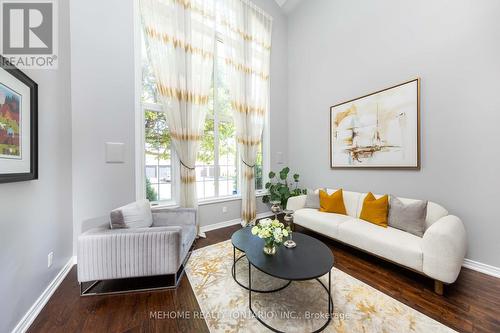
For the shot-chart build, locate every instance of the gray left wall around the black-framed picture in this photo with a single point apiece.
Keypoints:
(35, 216)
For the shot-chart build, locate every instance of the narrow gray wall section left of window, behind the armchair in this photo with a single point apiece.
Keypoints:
(102, 92)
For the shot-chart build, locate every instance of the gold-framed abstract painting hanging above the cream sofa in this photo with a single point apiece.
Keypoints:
(378, 130)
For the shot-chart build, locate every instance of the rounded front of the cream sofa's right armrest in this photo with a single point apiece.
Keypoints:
(444, 245)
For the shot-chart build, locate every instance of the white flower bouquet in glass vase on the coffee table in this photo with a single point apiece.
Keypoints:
(273, 232)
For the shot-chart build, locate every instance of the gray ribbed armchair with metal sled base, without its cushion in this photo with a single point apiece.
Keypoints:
(162, 249)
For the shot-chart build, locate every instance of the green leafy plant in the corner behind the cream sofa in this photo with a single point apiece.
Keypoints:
(281, 187)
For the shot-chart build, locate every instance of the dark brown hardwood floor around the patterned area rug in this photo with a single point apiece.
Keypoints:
(472, 304)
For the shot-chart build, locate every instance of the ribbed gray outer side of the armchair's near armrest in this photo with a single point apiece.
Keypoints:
(105, 254)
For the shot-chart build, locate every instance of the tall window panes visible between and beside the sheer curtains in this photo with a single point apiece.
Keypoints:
(217, 165)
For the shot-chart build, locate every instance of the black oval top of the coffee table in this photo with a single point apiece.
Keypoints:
(309, 260)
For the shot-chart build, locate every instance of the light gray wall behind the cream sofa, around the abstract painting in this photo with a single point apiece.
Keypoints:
(342, 49)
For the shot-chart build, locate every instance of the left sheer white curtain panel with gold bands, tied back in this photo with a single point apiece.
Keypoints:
(180, 39)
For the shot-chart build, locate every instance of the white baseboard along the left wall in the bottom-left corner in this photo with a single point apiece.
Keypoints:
(35, 309)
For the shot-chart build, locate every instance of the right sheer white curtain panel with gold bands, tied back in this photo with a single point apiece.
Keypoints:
(246, 31)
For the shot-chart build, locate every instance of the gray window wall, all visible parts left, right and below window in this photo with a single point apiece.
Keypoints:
(102, 75)
